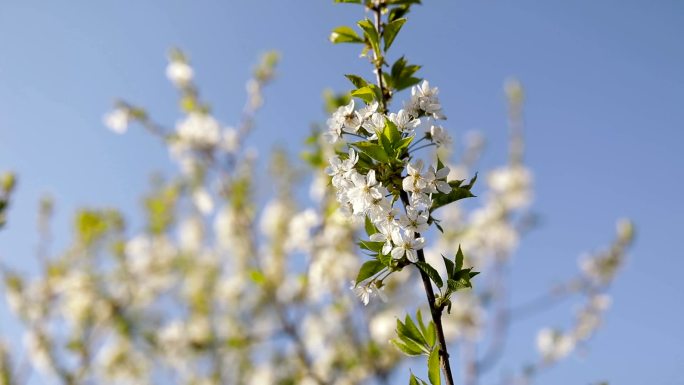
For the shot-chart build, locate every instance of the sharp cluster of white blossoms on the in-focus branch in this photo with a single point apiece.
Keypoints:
(380, 171)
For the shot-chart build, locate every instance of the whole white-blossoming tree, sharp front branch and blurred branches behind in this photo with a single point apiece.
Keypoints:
(219, 288)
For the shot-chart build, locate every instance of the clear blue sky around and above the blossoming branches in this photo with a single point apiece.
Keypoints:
(605, 113)
